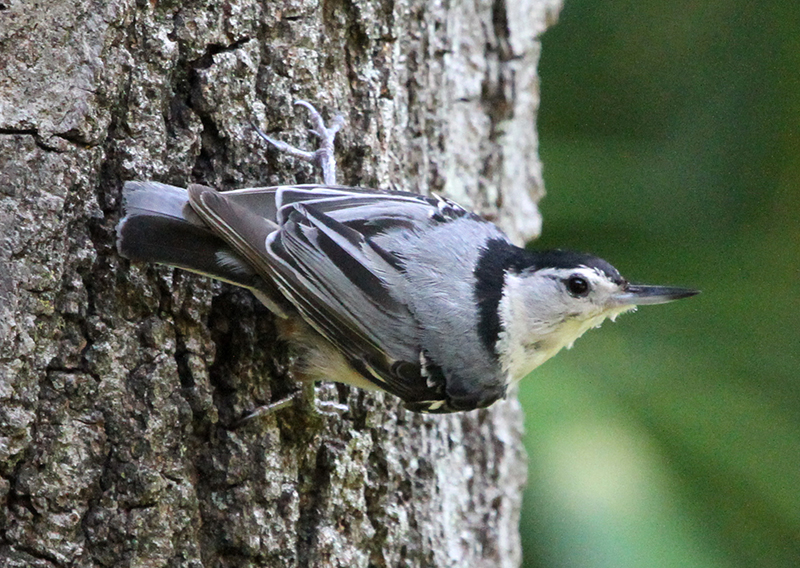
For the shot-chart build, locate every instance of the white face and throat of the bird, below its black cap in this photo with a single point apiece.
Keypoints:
(546, 310)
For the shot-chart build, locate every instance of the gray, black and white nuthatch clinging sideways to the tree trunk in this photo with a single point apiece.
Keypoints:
(387, 290)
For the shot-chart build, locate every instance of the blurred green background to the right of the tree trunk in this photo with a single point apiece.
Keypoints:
(671, 147)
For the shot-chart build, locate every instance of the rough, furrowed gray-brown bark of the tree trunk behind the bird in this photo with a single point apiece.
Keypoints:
(119, 382)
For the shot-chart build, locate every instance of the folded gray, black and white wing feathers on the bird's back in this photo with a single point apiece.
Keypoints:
(348, 288)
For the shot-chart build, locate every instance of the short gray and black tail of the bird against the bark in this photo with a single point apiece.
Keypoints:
(160, 226)
